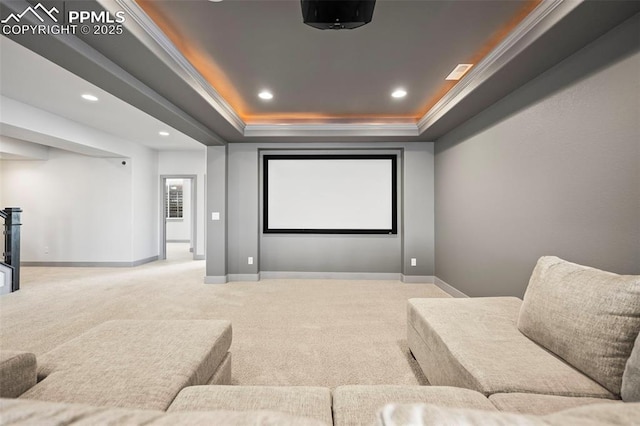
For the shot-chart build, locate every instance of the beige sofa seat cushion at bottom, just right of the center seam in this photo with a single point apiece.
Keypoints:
(358, 404)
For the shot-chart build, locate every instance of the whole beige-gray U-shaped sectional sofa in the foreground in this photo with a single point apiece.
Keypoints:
(568, 354)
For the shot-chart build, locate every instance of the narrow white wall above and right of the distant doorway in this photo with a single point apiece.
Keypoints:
(177, 163)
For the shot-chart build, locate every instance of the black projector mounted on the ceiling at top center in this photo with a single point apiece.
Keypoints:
(337, 14)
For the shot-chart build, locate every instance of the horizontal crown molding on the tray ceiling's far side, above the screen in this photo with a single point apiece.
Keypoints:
(330, 130)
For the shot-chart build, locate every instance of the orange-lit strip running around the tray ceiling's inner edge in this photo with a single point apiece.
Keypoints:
(215, 76)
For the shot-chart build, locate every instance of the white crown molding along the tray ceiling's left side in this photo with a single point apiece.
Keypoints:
(146, 30)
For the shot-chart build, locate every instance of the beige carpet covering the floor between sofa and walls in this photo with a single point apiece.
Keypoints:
(285, 332)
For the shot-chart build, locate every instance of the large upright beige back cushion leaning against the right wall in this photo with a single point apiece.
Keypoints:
(588, 317)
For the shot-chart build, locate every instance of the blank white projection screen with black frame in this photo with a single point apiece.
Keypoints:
(330, 194)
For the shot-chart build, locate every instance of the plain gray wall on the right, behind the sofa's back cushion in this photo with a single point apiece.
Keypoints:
(554, 168)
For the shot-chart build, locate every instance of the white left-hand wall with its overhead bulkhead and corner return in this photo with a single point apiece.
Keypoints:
(84, 209)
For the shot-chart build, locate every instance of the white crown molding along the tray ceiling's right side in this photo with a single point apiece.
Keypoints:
(547, 14)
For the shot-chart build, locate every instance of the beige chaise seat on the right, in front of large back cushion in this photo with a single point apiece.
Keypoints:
(474, 343)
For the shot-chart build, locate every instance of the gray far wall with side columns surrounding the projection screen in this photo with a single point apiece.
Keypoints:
(369, 254)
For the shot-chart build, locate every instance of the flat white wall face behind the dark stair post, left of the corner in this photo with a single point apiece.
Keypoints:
(75, 208)
